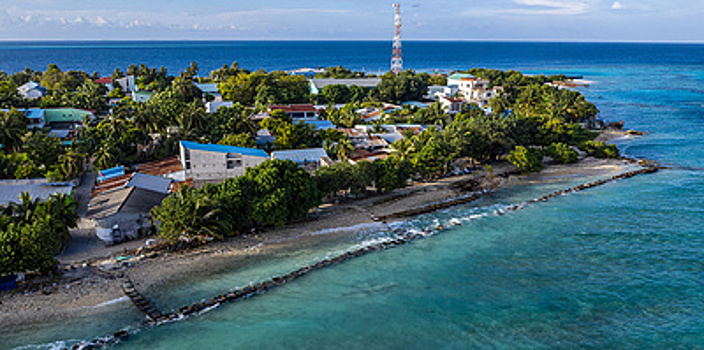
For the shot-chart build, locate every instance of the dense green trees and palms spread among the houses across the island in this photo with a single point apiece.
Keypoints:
(529, 120)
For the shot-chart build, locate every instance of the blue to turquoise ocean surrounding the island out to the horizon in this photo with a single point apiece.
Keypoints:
(619, 266)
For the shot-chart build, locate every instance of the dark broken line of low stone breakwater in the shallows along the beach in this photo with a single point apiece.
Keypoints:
(403, 237)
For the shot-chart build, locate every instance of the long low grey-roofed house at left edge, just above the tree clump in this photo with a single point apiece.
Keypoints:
(10, 190)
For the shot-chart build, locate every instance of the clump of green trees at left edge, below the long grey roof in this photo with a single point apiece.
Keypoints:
(33, 231)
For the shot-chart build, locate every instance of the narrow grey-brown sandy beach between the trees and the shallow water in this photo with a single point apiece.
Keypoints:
(91, 282)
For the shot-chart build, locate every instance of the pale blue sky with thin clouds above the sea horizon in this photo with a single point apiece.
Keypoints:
(541, 20)
